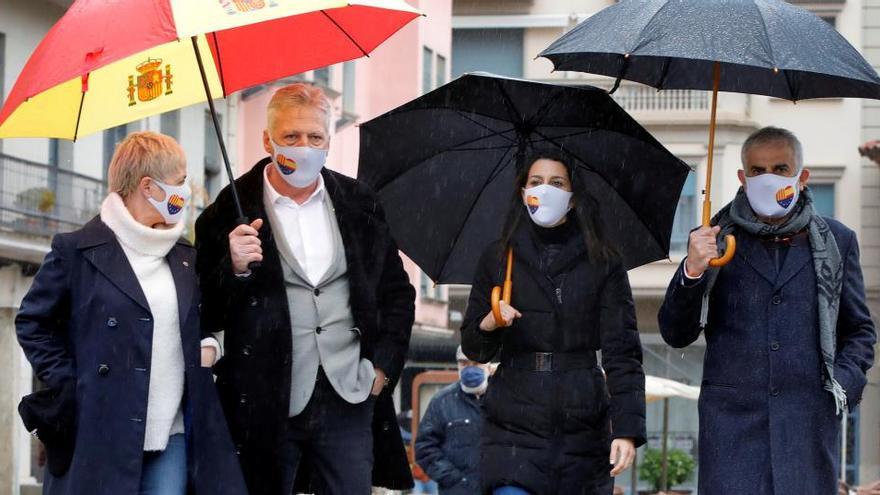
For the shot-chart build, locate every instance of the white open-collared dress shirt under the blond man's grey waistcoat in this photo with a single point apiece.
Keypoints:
(304, 227)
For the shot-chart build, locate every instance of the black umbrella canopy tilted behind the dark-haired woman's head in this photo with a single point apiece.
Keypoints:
(444, 166)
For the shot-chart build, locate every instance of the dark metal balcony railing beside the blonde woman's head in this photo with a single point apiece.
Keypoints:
(42, 200)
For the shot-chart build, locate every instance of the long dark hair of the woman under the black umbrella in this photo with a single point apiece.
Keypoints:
(585, 210)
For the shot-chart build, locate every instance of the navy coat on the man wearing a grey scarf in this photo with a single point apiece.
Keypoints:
(766, 423)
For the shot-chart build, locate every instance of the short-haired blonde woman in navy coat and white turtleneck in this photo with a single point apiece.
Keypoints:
(111, 326)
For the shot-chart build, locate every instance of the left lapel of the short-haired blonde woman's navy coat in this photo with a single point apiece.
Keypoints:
(103, 251)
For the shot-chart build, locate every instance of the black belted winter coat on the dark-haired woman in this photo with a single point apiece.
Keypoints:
(550, 432)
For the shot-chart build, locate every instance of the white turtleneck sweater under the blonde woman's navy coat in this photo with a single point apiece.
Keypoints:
(146, 249)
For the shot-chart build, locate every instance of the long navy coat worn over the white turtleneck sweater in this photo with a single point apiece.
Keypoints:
(86, 319)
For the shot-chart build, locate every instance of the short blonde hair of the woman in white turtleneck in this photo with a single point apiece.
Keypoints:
(143, 154)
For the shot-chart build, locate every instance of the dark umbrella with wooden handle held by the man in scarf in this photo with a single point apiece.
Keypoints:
(765, 47)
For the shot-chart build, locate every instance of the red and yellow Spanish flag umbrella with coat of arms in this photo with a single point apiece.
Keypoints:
(110, 62)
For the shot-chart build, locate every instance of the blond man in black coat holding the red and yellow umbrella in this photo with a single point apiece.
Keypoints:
(316, 333)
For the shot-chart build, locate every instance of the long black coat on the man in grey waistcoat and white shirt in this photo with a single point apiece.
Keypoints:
(253, 377)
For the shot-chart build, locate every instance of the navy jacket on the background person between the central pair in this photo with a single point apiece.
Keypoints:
(448, 441)
